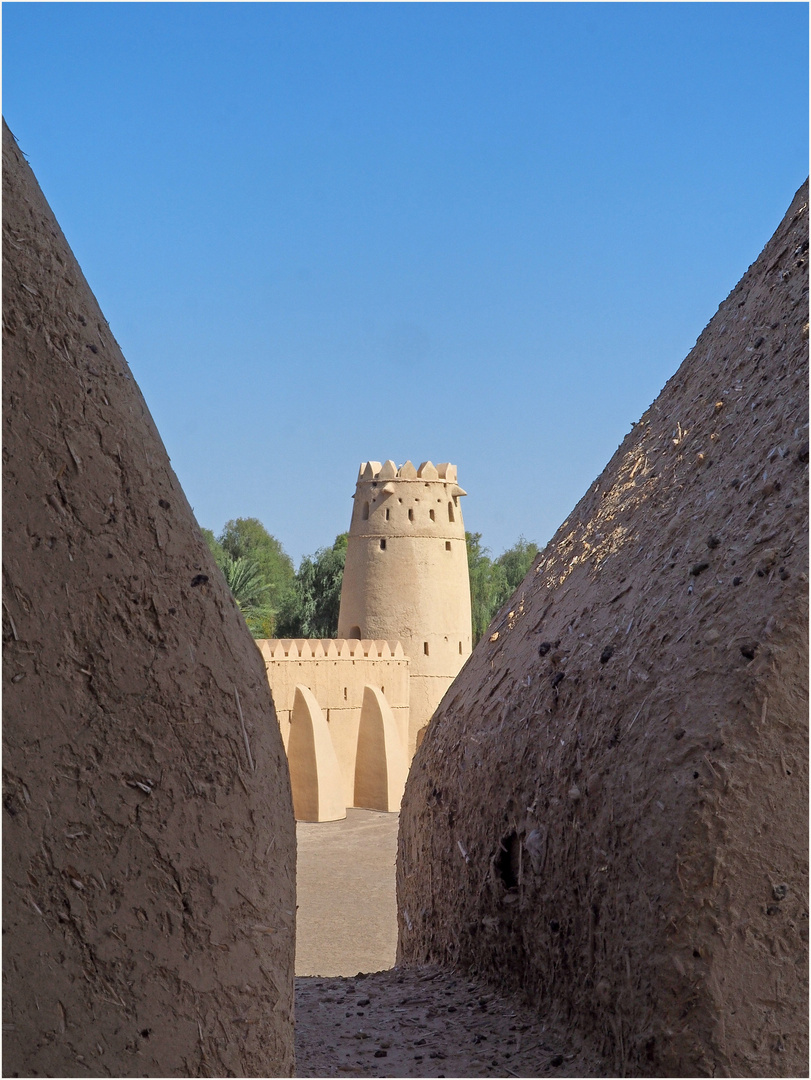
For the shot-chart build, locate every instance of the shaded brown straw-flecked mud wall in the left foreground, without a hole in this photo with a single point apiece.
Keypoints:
(148, 855)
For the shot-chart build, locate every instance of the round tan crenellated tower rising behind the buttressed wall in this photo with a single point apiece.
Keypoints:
(407, 576)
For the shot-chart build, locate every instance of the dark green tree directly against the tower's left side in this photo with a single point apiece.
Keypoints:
(314, 603)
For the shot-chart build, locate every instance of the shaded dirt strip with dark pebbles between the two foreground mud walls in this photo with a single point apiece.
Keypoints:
(424, 1022)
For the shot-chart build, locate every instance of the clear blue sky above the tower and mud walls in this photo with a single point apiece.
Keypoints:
(485, 234)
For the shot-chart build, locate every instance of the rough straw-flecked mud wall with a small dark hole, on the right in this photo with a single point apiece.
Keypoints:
(611, 807)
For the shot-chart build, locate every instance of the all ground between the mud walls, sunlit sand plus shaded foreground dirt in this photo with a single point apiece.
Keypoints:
(395, 1022)
